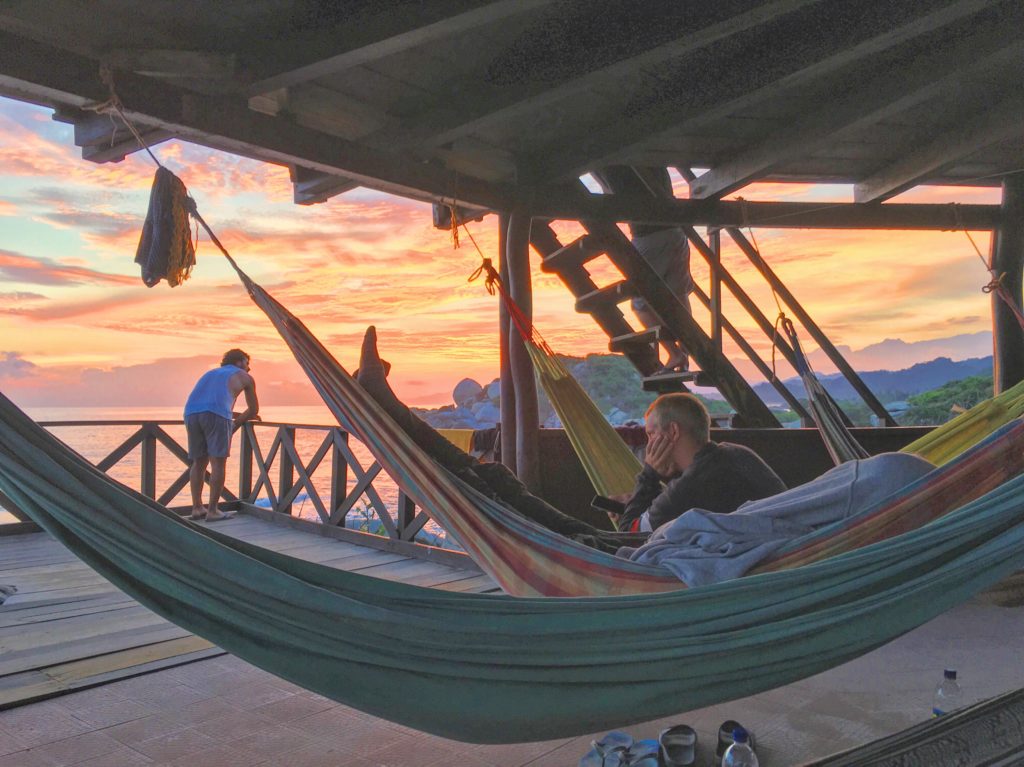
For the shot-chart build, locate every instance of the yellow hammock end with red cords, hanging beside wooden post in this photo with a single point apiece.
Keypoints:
(610, 463)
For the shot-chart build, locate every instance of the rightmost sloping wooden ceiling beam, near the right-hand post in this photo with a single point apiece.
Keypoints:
(1005, 120)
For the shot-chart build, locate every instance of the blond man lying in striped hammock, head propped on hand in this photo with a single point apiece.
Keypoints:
(675, 450)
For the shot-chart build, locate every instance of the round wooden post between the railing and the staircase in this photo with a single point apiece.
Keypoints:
(528, 417)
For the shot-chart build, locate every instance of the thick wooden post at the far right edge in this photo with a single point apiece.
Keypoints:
(1008, 258)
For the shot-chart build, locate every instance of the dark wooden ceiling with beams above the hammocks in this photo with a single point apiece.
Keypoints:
(505, 104)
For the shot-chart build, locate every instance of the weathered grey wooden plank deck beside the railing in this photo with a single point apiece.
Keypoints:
(67, 628)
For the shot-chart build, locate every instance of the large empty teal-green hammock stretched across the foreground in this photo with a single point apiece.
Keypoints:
(494, 669)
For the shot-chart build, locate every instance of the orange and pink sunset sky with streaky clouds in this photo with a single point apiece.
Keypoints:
(78, 327)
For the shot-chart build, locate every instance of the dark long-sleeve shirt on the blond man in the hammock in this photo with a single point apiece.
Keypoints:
(722, 478)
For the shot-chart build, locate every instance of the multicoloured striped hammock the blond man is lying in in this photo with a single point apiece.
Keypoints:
(530, 561)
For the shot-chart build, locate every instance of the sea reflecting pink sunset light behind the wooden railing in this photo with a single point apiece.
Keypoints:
(99, 439)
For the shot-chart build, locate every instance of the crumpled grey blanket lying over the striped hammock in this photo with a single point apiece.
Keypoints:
(702, 547)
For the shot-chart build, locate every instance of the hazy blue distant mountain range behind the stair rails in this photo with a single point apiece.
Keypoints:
(890, 387)
